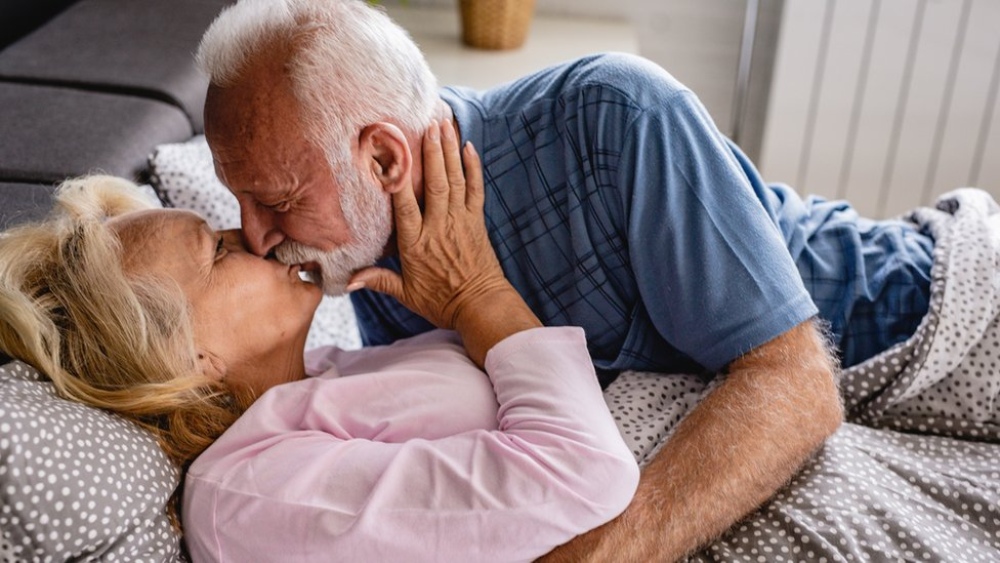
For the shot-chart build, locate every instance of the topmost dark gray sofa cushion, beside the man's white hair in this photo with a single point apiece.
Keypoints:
(140, 48)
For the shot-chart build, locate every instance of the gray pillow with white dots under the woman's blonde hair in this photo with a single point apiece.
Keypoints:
(77, 483)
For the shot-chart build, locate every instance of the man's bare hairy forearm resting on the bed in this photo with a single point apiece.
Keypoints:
(728, 456)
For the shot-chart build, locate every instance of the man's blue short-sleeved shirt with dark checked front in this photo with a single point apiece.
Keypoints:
(615, 204)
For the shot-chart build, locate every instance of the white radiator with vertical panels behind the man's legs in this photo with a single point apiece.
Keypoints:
(886, 103)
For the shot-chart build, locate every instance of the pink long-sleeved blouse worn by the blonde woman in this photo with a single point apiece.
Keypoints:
(409, 452)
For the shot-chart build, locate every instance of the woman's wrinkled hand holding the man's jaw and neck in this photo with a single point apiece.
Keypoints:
(449, 268)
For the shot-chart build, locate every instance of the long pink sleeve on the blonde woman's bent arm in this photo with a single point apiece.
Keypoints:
(556, 467)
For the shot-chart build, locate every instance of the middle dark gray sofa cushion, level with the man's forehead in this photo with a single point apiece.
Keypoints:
(50, 134)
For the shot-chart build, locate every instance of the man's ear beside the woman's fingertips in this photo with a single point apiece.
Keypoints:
(386, 153)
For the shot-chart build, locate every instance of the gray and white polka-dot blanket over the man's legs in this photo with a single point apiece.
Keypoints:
(914, 475)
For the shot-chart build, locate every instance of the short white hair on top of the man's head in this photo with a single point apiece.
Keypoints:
(349, 64)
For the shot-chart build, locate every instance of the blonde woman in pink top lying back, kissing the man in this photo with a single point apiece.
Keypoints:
(489, 442)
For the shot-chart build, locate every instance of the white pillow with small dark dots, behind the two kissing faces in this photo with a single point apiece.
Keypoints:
(183, 176)
